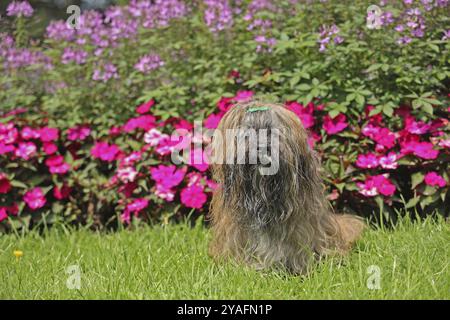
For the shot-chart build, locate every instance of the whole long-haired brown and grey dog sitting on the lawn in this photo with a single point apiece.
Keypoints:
(280, 220)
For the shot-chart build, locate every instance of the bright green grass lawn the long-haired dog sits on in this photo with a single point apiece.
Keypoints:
(171, 262)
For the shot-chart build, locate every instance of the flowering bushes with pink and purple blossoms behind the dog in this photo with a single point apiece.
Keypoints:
(374, 101)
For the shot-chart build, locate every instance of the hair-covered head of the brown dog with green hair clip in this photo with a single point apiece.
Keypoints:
(262, 159)
